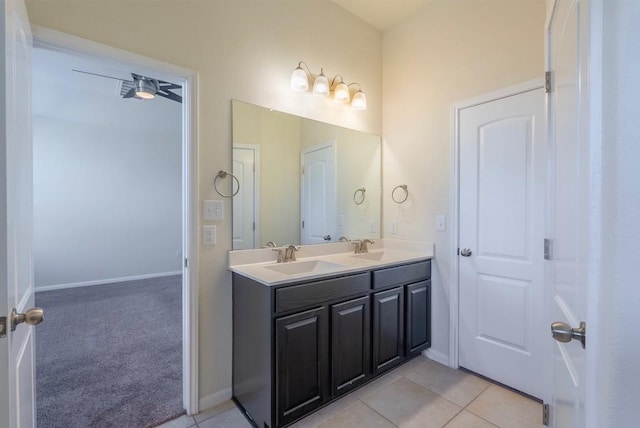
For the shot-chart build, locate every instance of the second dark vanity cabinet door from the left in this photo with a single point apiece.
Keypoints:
(350, 345)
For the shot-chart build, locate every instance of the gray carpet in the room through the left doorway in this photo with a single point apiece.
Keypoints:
(110, 355)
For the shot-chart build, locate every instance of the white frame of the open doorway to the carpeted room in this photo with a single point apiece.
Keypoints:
(65, 43)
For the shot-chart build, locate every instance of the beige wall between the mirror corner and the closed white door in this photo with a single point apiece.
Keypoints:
(450, 51)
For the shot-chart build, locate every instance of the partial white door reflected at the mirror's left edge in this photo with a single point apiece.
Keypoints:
(246, 232)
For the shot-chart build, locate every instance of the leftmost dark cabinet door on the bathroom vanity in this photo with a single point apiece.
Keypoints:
(302, 355)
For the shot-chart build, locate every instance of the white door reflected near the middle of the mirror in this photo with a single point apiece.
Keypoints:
(319, 194)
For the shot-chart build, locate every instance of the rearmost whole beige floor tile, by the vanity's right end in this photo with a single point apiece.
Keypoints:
(454, 385)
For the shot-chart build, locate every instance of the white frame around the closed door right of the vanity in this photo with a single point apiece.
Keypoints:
(528, 86)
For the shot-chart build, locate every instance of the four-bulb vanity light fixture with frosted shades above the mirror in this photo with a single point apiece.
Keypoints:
(321, 87)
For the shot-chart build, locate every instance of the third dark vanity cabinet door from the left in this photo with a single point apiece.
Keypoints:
(388, 329)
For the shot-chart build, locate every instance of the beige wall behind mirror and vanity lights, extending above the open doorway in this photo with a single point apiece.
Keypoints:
(242, 50)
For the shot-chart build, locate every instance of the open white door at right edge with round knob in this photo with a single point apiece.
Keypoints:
(568, 204)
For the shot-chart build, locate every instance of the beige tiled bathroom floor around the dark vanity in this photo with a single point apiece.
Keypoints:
(420, 394)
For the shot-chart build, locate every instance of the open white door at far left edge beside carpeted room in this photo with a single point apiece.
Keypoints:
(16, 283)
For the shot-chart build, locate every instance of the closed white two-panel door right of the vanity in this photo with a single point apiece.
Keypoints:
(501, 294)
